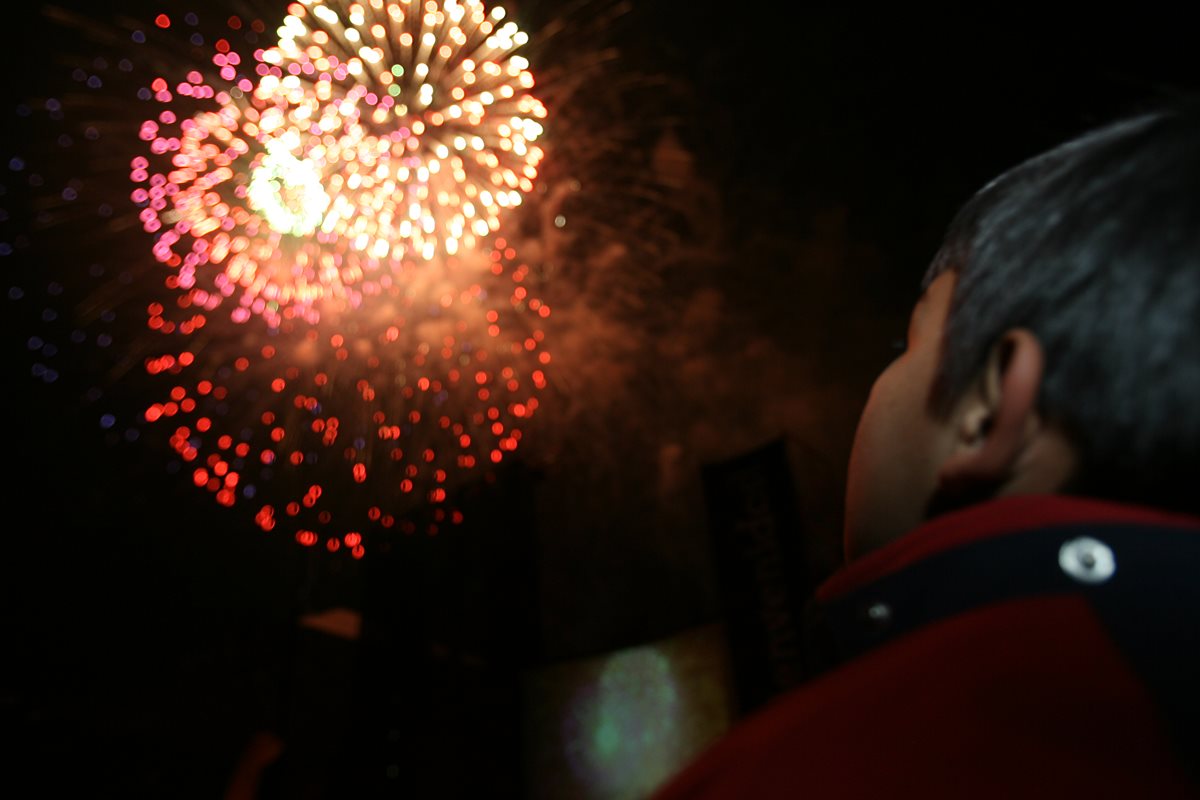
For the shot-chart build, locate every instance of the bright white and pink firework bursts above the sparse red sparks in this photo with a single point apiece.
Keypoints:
(370, 136)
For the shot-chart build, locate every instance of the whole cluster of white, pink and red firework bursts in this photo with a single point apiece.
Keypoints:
(335, 332)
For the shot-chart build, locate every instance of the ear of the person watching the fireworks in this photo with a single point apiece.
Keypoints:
(997, 420)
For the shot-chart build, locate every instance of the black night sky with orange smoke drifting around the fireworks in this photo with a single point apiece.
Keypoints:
(777, 183)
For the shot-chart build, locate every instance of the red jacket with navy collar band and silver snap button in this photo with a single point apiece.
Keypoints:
(1029, 647)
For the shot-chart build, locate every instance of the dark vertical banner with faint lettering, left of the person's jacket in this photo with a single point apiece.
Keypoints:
(758, 540)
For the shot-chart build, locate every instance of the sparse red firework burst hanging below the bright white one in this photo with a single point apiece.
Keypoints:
(344, 423)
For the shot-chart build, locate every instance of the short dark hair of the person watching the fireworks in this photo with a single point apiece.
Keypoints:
(1095, 248)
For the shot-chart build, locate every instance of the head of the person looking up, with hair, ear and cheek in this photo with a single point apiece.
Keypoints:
(1057, 346)
